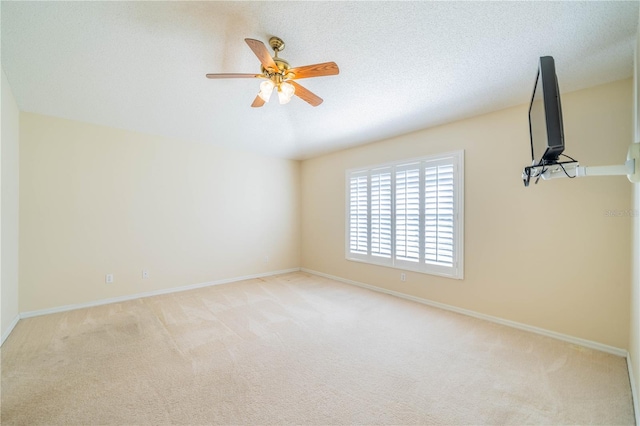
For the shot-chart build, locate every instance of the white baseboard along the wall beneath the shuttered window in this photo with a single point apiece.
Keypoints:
(559, 336)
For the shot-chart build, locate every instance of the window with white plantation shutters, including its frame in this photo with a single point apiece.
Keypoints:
(408, 214)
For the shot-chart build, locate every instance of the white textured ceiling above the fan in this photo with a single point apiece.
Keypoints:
(403, 65)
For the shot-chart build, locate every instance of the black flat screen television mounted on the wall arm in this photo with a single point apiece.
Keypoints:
(545, 116)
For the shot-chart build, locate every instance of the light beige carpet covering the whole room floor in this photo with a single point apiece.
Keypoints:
(298, 349)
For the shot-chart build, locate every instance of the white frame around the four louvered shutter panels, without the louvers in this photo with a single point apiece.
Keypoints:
(456, 270)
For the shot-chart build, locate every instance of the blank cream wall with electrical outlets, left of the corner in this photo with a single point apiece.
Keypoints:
(97, 200)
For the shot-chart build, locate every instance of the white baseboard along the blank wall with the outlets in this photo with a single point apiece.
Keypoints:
(119, 299)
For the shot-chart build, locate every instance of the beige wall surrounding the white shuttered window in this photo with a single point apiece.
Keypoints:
(547, 255)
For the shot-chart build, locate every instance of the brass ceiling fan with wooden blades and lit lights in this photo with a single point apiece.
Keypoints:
(278, 75)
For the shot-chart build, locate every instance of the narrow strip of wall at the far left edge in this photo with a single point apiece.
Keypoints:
(9, 210)
